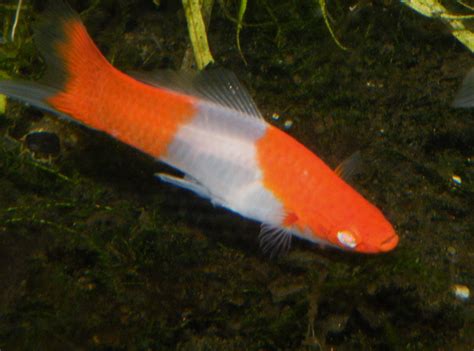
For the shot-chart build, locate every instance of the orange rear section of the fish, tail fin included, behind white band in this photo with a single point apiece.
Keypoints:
(80, 84)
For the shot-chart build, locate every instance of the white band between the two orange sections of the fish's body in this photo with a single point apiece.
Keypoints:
(217, 150)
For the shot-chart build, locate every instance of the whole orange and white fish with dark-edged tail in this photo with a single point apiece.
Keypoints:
(207, 127)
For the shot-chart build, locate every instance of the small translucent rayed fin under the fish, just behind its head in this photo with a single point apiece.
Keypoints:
(274, 240)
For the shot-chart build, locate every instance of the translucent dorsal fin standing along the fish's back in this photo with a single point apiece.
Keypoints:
(219, 86)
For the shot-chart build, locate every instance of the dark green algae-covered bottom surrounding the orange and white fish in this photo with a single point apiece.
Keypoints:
(97, 254)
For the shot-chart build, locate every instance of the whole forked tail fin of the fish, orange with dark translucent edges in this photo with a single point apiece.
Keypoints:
(74, 64)
